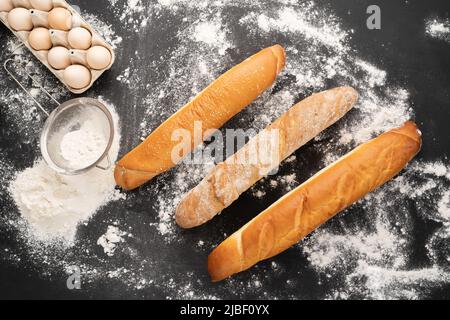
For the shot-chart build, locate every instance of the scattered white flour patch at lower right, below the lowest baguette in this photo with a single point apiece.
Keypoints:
(373, 255)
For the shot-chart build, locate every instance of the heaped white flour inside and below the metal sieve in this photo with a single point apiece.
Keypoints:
(54, 204)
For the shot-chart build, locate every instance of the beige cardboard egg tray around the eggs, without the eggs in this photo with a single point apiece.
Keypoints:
(59, 38)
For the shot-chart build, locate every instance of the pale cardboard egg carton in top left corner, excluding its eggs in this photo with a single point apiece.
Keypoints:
(58, 38)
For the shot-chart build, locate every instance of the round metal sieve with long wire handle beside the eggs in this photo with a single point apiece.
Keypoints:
(66, 118)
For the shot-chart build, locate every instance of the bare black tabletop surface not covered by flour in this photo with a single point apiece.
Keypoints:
(418, 63)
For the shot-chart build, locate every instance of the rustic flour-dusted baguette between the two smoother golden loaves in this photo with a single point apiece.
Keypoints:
(228, 180)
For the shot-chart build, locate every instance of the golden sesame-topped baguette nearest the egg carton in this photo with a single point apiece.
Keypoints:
(213, 107)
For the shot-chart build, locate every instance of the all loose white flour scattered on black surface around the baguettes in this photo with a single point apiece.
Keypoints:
(365, 254)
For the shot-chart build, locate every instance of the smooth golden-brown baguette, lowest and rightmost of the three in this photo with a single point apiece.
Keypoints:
(317, 200)
